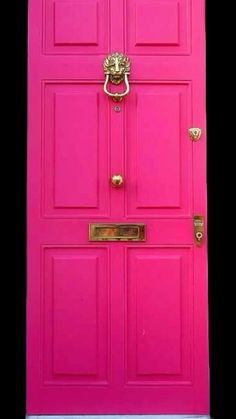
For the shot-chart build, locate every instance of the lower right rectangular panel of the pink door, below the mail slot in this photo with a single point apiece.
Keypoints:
(159, 331)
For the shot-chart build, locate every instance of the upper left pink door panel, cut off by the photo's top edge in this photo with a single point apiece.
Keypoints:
(75, 27)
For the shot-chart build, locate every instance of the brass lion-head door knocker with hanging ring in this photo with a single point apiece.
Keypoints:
(116, 69)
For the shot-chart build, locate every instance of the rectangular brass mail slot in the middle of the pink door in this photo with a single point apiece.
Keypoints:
(117, 232)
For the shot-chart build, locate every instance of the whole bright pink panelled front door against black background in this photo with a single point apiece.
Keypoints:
(116, 326)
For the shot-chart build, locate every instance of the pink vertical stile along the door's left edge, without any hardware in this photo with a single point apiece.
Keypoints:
(34, 203)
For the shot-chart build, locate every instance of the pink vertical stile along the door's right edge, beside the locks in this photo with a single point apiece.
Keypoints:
(198, 119)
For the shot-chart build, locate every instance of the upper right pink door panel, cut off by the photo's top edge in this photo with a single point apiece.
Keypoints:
(167, 31)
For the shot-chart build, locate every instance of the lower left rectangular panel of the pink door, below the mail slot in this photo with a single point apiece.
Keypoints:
(76, 310)
